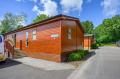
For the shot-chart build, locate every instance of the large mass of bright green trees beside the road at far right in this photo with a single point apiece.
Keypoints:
(109, 30)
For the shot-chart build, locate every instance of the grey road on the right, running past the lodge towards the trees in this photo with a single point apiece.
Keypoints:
(105, 64)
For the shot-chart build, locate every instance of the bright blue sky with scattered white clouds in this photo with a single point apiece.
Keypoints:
(92, 10)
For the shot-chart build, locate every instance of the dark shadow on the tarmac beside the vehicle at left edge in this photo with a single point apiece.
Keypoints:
(8, 63)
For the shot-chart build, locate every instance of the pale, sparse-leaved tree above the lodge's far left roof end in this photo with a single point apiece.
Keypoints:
(11, 22)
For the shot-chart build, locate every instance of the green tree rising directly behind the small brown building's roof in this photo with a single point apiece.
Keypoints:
(88, 27)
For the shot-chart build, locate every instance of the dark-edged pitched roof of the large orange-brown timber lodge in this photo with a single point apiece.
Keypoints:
(54, 18)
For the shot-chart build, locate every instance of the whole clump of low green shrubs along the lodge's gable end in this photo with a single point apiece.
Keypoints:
(78, 55)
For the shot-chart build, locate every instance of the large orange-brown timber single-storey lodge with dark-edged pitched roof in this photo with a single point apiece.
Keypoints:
(51, 39)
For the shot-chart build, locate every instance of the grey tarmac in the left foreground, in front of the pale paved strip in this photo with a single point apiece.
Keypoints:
(16, 70)
